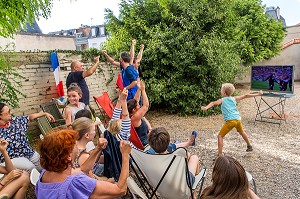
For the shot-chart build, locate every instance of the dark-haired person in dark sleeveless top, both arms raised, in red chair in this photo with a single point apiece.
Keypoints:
(137, 113)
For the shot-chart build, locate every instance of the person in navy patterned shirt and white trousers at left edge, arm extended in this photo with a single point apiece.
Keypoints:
(13, 129)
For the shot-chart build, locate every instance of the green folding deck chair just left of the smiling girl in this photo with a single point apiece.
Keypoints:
(52, 108)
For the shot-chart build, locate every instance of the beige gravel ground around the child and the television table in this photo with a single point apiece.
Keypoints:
(275, 161)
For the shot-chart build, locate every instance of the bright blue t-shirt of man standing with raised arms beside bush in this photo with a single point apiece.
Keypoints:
(132, 75)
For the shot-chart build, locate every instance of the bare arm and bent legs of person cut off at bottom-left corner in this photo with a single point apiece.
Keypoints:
(16, 181)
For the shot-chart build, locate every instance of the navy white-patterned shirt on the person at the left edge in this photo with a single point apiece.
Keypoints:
(15, 135)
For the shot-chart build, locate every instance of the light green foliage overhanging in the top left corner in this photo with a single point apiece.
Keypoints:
(15, 13)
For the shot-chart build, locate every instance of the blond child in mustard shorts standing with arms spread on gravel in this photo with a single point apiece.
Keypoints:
(230, 113)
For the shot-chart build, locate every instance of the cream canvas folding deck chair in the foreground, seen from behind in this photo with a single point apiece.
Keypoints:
(166, 174)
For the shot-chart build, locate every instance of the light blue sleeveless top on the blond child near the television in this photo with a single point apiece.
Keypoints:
(229, 109)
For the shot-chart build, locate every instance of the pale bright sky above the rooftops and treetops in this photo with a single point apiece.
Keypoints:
(68, 14)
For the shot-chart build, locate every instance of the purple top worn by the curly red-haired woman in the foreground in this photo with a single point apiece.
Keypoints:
(75, 186)
